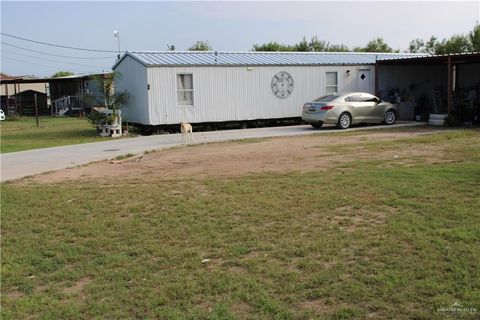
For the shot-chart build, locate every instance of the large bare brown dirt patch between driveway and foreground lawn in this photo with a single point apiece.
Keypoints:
(301, 153)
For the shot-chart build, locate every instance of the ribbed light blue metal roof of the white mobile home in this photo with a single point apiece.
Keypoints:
(222, 58)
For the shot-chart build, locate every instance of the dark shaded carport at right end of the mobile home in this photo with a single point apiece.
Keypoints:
(454, 78)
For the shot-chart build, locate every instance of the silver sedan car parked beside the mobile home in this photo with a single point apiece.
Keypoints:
(345, 109)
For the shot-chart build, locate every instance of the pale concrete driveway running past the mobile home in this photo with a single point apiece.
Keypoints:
(21, 164)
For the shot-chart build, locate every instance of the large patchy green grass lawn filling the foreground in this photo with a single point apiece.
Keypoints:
(363, 239)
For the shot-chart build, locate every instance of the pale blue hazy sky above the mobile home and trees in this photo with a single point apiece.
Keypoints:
(226, 25)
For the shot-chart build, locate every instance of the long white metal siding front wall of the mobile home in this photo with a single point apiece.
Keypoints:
(235, 93)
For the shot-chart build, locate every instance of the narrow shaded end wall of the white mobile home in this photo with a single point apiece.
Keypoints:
(134, 80)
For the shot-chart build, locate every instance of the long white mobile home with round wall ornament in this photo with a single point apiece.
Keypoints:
(201, 87)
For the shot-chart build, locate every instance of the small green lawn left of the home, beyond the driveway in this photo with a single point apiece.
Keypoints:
(24, 135)
